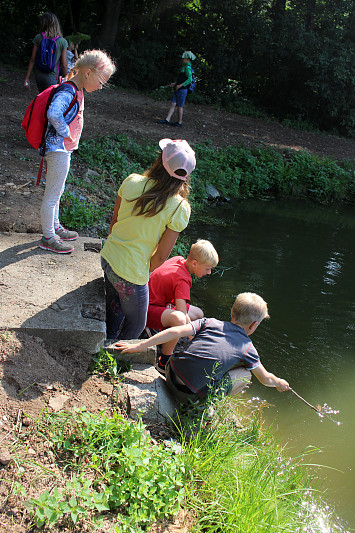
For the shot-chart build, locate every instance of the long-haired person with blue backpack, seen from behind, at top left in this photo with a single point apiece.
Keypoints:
(48, 52)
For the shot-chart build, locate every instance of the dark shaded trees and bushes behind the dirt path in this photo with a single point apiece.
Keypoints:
(285, 59)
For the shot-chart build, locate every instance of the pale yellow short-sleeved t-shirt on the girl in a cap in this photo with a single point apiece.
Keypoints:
(134, 239)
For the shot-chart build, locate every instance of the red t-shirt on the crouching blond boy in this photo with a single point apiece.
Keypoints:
(169, 282)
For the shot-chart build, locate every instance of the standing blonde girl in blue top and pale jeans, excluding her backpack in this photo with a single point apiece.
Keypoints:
(91, 71)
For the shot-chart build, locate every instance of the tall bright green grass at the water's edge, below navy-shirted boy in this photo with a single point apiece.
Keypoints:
(238, 478)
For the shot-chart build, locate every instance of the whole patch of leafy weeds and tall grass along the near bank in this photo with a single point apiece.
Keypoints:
(228, 473)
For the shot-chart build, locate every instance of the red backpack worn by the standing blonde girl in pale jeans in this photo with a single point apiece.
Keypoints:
(35, 121)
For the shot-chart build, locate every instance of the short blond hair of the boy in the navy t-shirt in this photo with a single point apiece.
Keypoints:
(249, 307)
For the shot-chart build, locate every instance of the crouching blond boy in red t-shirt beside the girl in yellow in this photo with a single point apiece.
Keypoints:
(169, 292)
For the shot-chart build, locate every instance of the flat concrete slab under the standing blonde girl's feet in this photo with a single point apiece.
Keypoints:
(58, 297)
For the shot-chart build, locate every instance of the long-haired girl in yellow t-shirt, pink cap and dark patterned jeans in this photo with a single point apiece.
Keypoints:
(149, 214)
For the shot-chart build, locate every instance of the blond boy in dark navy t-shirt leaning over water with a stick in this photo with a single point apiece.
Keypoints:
(220, 354)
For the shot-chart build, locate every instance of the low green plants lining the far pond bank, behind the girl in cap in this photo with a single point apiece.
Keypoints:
(236, 171)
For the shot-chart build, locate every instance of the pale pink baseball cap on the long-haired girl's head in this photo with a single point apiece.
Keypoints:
(177, 155)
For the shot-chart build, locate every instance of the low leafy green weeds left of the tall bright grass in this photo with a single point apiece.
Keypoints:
(114, 468)
